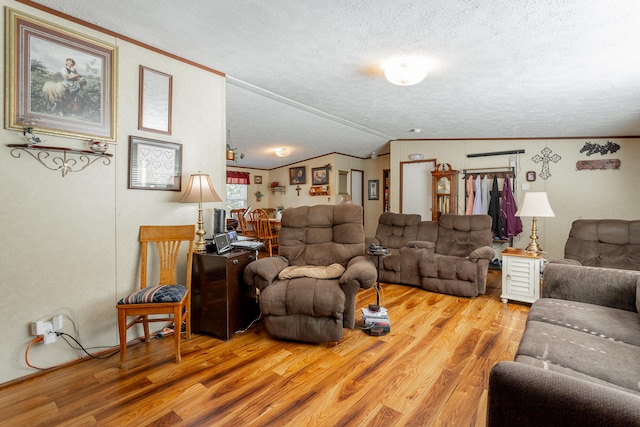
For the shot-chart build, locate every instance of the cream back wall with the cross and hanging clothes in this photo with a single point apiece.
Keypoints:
(573, 194)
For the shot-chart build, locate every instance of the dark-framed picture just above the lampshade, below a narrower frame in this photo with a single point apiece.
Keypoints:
(154, 165)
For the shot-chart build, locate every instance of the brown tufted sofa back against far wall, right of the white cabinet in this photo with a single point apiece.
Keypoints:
(612, 243)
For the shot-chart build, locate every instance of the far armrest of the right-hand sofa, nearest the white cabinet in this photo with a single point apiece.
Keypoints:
(608, 287)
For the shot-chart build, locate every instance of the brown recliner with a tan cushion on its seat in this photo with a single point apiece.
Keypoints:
(311, 301)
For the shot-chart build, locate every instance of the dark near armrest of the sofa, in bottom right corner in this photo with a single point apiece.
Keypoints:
(524, 395)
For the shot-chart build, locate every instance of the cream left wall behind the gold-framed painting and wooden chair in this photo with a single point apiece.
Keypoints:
(69, 244)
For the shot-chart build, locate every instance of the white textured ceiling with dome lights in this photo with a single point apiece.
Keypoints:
(306, 74)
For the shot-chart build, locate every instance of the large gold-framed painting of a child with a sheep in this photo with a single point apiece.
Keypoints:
(58, 81)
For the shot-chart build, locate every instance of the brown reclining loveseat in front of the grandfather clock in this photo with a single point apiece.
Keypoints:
(449, 256)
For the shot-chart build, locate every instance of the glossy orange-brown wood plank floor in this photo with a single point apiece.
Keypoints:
(431, 370)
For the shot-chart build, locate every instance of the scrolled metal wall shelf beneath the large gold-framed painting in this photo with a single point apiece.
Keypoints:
(70, 159)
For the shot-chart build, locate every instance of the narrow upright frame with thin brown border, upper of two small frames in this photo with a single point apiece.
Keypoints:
(154, 112)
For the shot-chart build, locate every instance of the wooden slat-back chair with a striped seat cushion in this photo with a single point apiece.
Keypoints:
(167, 297)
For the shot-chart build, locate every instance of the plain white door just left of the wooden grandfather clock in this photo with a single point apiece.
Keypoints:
(415, 187)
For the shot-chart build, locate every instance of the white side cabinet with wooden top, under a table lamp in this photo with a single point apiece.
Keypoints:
(520, 275)
